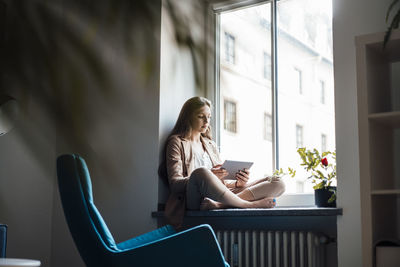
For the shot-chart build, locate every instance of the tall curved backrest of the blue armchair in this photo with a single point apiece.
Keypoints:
(87, 227)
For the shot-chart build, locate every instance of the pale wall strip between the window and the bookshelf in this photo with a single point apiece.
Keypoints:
(350, 18)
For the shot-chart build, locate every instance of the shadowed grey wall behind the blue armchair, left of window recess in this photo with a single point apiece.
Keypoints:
(87, 82)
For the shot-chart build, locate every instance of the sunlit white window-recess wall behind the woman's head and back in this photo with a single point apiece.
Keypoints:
(178, 71)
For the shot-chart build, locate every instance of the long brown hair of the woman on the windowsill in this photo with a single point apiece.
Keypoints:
(183, 125)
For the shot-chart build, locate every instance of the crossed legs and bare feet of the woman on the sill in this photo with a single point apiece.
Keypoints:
(205, 191)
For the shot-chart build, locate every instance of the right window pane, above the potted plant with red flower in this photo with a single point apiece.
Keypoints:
(305, 54)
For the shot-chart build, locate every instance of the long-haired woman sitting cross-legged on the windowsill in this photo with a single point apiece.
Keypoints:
(196, 179)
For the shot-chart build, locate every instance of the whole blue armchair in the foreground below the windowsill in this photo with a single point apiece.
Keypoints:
(162, 247)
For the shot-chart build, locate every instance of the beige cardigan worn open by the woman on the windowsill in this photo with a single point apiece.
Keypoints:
(180, 164)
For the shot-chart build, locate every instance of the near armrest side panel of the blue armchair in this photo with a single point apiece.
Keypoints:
(195, 247)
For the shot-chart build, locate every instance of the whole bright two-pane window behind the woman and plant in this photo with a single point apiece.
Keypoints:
(282, 49)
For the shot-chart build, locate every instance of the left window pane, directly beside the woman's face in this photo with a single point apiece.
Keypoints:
(245, 42)
